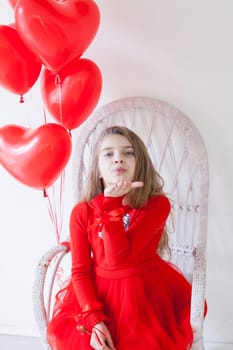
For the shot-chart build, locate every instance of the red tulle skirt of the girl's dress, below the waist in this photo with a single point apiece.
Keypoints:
(149, 310)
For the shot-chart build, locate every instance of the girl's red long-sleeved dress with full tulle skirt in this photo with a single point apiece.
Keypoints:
(118, 277)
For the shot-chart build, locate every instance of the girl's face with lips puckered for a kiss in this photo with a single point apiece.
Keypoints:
(116, 159)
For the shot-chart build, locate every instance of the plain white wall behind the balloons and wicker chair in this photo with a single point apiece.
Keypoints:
(179, 51)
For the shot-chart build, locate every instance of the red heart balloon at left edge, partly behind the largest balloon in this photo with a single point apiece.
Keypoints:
(19, 68)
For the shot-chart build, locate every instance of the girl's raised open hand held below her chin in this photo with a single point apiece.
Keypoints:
(121, 188)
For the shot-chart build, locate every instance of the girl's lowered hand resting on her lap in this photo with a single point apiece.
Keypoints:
(101, 338)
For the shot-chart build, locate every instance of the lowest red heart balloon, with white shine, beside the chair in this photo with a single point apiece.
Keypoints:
(35, 157)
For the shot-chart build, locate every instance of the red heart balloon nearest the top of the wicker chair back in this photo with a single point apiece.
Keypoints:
(72, 94)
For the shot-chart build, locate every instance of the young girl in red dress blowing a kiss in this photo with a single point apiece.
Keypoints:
(122, 295)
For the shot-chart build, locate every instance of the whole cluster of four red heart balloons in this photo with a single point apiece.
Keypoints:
(48, 40)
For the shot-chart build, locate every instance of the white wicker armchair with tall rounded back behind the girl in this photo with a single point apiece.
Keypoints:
(179, 154)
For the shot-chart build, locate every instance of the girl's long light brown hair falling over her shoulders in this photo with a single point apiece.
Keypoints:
(144, 171)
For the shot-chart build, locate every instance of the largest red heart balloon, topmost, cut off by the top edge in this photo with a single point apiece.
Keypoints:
(57, 31)
